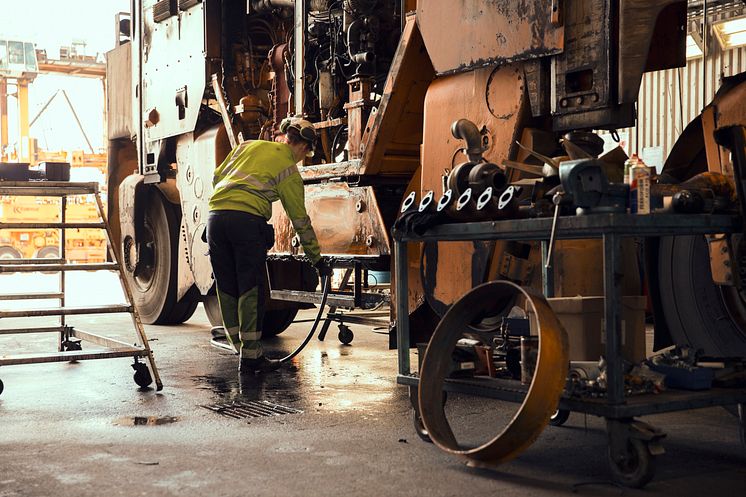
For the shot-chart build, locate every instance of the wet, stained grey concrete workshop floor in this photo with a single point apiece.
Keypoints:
(67, 429)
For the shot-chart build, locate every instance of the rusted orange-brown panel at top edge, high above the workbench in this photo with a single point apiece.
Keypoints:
(464, 34)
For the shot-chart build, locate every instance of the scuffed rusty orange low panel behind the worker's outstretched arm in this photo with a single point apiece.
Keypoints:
(346, 219)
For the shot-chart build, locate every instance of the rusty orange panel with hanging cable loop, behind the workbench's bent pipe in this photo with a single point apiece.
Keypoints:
(493, 98)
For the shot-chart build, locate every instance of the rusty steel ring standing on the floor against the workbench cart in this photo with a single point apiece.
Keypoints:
(543, 394)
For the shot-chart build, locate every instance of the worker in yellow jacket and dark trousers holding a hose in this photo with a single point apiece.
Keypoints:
(255, 174)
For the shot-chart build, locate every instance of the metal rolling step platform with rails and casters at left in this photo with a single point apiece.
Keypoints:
(71, 339)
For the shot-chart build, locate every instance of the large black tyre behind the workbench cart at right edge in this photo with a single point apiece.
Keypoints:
(698, 312)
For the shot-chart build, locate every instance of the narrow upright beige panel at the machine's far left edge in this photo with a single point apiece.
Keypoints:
(119, 92)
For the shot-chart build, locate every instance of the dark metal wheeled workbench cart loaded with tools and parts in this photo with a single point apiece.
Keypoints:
(618, 410)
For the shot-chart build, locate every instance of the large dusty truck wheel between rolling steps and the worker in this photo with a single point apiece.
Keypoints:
(154, 281)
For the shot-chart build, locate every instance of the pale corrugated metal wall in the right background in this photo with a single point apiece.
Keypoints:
(670, 99)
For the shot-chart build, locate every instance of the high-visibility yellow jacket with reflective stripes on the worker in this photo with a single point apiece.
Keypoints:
(257, 173)
